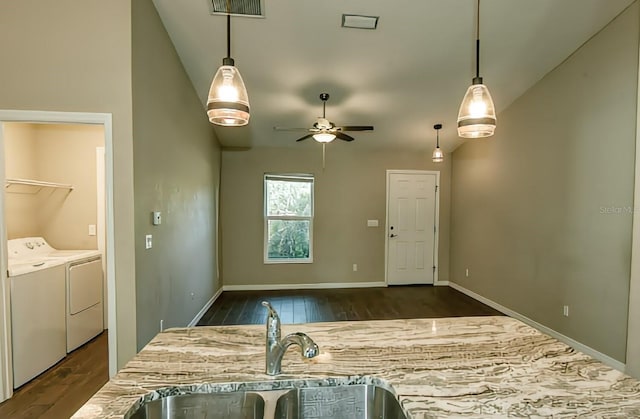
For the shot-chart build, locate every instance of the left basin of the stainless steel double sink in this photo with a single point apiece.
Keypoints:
(235, 405)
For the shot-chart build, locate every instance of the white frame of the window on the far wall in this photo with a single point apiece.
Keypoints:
(289, 177)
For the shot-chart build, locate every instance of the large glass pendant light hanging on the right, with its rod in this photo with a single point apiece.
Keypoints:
(477, 115)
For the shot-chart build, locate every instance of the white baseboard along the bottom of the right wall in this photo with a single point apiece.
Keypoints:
(544, 329)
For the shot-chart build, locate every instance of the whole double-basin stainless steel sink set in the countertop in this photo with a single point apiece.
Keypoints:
(300, 400)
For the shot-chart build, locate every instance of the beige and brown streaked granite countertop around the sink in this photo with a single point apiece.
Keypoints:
(452, 367)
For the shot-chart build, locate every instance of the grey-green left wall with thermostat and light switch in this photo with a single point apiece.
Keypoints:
(177, 167)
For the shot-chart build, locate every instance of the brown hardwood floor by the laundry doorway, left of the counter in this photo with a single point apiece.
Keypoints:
(65, 387)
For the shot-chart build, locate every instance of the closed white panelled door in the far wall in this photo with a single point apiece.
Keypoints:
(411, 227)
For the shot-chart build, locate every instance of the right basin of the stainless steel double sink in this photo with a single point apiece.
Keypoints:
(353, 402)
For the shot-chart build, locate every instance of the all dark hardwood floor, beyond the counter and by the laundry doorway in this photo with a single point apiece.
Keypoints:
(61, 390)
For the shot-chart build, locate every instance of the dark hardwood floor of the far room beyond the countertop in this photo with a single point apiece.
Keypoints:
(308, 306)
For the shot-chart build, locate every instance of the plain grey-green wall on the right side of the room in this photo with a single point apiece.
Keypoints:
(541, 213)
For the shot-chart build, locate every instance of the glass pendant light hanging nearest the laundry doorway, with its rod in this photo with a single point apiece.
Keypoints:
(228, 103)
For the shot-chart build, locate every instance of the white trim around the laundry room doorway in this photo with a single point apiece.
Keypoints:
(104, 119)
